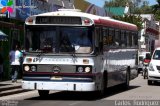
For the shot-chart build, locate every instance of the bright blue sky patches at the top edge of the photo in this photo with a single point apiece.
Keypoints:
(100, 3)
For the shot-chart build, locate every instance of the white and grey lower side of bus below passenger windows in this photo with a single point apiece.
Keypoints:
(117, 63)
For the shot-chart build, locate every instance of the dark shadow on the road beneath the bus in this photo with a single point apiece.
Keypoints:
(88, 96)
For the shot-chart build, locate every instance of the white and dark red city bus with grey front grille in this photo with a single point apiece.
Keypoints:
(54, 60)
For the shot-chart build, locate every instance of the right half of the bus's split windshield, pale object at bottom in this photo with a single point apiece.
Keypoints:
(77, 39)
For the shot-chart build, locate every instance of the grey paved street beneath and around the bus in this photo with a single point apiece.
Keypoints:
(138, 90)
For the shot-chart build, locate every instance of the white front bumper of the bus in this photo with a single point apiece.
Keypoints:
(60, 86)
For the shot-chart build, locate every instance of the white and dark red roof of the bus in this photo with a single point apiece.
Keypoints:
(97, 20)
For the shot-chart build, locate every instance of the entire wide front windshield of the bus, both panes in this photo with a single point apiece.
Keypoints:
(54, 39)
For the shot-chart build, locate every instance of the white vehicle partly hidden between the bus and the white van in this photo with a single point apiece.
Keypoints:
(142, 56)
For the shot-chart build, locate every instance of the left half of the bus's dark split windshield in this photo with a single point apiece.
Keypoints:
(40, 39)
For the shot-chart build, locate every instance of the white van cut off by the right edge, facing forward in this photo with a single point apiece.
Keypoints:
(154, 67)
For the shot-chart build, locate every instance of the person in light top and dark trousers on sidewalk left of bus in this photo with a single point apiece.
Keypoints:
(15, 56)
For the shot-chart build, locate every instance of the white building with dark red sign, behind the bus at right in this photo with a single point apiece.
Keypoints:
(149, 33)
